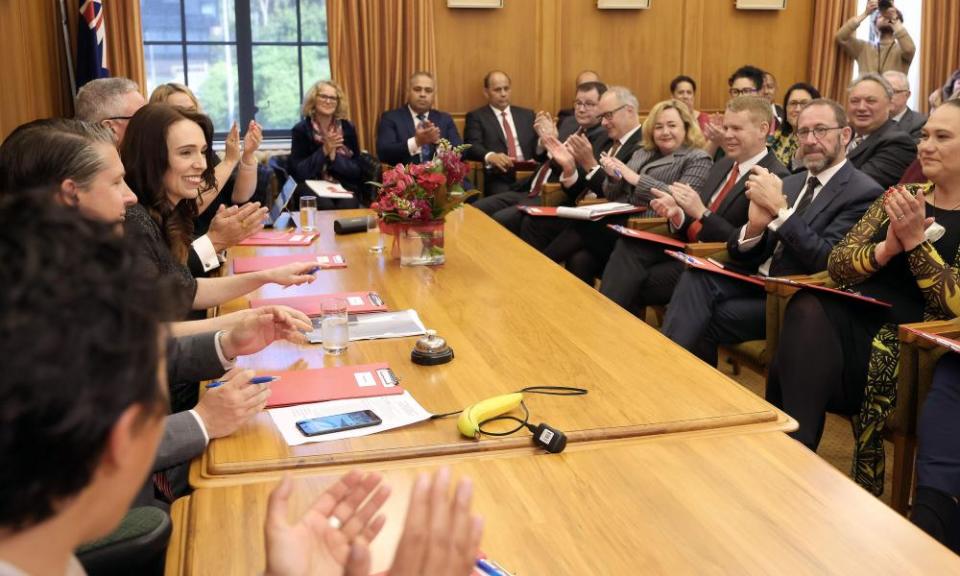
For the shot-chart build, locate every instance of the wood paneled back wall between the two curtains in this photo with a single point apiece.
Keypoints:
(543, 44)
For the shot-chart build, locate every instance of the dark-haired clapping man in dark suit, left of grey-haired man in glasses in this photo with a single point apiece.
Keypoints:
(502, 207)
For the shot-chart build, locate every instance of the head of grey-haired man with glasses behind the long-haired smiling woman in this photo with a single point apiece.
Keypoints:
(110, 102)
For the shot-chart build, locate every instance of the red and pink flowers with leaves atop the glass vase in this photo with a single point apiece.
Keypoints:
(423, 192)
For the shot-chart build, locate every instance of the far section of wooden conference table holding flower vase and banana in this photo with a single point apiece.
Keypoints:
(514, 319)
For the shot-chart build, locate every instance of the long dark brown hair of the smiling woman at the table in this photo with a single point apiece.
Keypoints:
(144, 155)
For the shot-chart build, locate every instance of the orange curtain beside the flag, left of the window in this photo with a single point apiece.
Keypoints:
(124, 37)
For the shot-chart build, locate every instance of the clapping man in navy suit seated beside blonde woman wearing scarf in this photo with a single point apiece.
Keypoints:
(409, 135)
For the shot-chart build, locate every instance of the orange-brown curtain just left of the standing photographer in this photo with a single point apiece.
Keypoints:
(830, 69)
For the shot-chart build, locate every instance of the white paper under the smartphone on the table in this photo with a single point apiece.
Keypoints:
(395, 411)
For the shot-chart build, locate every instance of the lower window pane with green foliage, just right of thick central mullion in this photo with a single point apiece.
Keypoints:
(276, 86)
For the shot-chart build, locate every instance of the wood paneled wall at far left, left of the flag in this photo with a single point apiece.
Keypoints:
(35, 81)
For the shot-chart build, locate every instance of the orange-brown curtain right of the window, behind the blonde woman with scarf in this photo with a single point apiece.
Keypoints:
(374, 47)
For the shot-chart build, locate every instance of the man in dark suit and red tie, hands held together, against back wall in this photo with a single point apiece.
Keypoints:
(499, 135)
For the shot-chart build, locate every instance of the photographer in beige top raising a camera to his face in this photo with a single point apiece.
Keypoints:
(894, 51)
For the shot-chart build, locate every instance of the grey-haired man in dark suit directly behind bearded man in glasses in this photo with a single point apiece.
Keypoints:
(880, 149)
